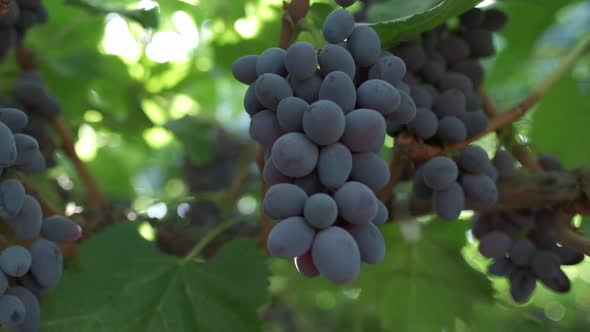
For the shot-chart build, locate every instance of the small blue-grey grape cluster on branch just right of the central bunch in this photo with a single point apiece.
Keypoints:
(447, 183)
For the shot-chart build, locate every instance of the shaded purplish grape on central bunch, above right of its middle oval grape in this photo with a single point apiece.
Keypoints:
(364, 131)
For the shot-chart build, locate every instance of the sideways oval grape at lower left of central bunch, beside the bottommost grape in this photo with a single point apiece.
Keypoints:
(290, 238)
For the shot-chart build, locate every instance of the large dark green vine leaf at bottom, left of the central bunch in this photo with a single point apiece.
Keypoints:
(123, 283)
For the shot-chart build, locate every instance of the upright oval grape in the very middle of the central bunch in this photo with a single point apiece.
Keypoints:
(334, 165)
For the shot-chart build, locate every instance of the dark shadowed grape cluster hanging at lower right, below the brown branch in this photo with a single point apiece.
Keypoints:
(523, 243)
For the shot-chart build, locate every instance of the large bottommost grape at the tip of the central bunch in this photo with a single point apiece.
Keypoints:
(336, 255)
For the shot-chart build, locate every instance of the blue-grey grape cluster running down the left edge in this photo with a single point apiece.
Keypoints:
(26, 272)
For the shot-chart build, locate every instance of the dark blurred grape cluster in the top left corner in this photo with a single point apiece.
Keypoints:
(20, 15)
